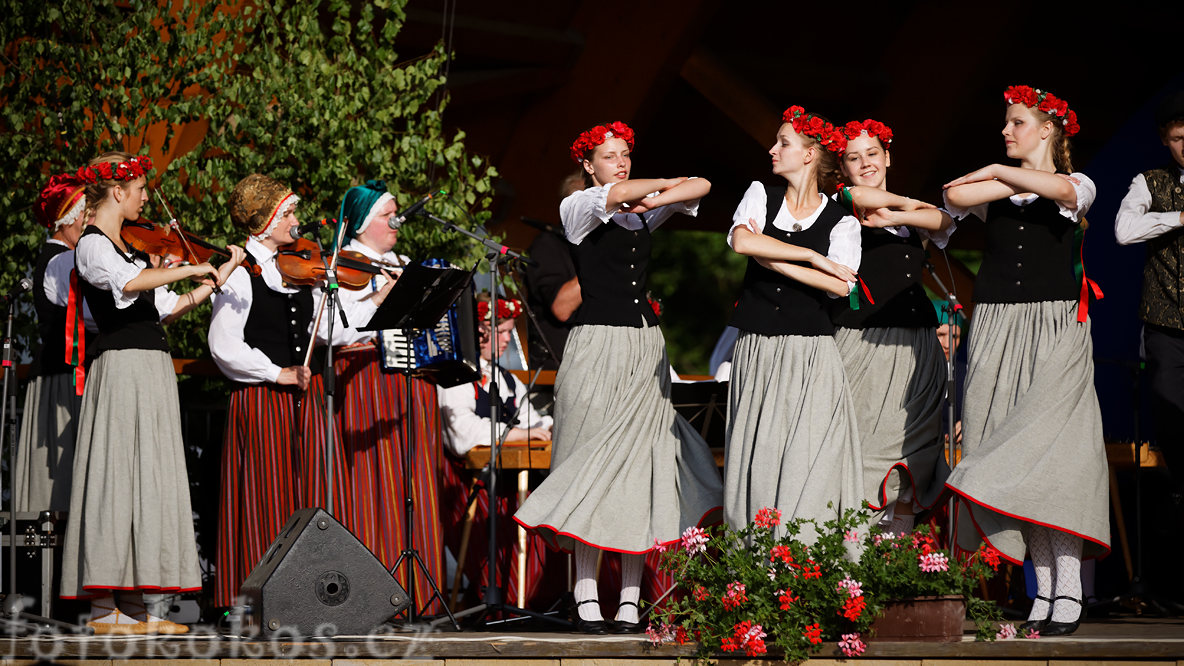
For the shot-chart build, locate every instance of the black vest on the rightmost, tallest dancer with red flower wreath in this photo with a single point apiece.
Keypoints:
(1031, 257)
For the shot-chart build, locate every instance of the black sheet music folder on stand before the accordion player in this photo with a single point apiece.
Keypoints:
(420, 298)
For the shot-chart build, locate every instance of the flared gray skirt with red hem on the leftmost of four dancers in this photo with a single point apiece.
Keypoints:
(627, 471)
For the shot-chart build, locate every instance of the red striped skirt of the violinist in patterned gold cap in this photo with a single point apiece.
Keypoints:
(272, 456)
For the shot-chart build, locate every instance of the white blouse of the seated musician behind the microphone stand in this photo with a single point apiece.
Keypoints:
(464, 430)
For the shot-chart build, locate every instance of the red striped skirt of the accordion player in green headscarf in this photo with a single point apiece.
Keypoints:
(370, 434)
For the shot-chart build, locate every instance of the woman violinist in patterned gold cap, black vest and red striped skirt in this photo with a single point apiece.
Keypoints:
(260, 336)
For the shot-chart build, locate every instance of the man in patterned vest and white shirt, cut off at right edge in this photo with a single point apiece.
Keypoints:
(1153, 213)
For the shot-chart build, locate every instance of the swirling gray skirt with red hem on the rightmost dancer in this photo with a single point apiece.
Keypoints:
(1033, 451)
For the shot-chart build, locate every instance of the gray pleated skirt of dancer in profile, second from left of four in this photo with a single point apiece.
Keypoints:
(792, 438)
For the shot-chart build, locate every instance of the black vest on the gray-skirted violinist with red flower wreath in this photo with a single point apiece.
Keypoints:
(134, 328)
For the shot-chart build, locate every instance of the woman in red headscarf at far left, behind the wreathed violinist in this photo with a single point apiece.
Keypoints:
(49, 422)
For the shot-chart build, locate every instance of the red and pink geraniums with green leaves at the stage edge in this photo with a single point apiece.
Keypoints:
(799, 585)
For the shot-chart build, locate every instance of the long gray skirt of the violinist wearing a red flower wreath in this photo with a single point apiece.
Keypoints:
(131, 526)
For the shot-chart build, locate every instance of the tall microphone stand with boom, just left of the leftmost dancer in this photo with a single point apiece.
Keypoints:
(493, 600)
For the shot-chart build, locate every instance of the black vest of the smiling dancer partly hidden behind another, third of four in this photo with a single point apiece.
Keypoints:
(891, 267)
